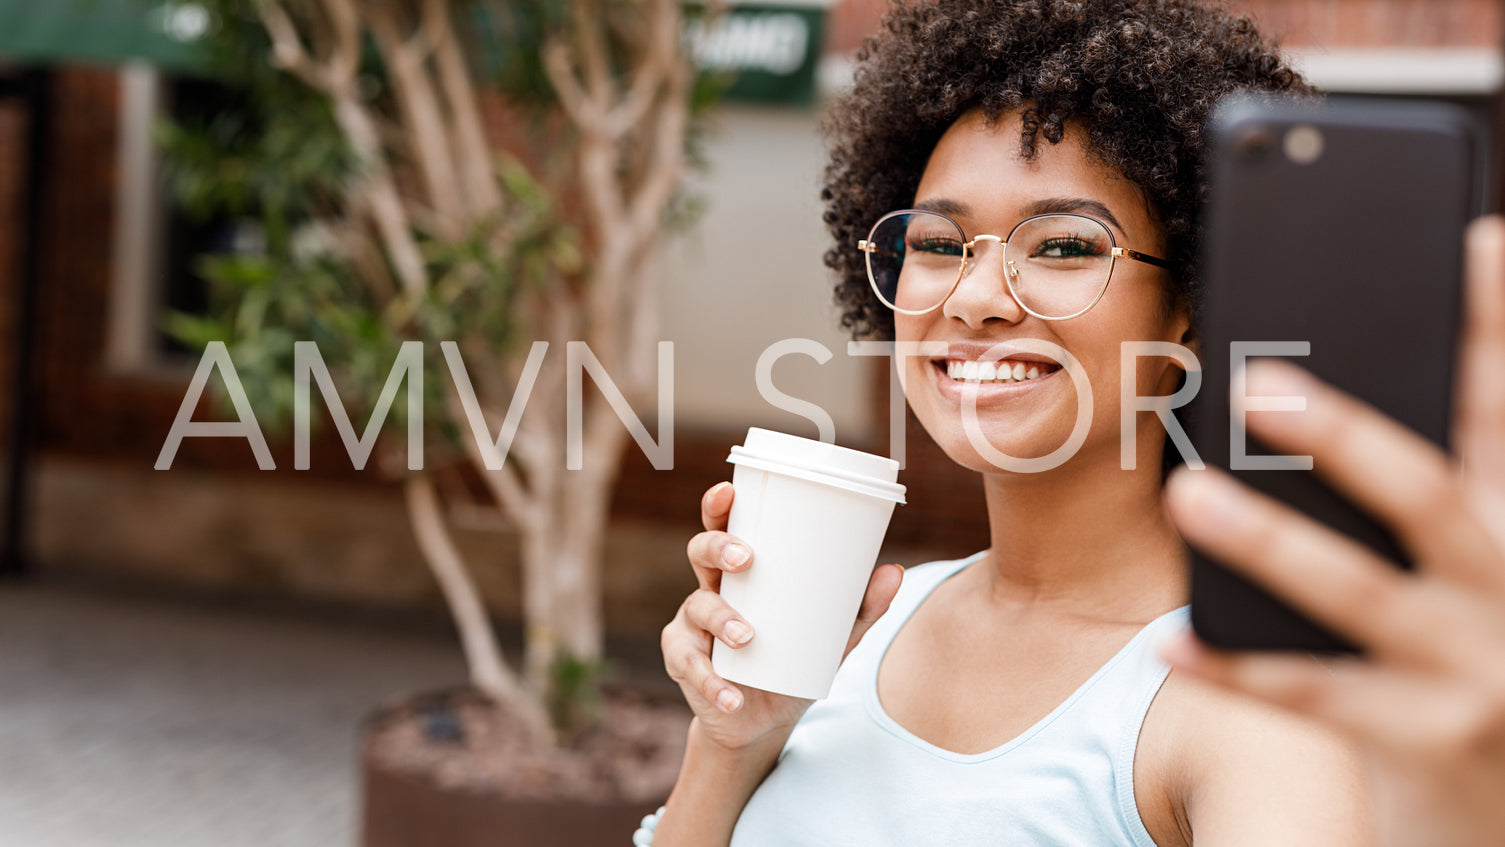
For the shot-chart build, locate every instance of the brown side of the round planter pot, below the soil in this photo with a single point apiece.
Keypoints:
(403, 810)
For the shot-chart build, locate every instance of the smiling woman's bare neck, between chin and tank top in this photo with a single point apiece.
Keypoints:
(1087, 538)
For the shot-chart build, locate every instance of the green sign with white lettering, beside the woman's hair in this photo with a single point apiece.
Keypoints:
(771, 49)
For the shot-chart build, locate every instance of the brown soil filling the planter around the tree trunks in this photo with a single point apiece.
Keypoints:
(460, 741)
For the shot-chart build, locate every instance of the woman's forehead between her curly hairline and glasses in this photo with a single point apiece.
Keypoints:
(982, 168)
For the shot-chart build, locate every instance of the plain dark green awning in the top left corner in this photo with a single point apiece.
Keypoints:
(162, 32)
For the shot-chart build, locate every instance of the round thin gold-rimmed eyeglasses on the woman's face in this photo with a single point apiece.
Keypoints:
(1056, 266)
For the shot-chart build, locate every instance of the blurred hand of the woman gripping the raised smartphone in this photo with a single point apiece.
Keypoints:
(1429, 699)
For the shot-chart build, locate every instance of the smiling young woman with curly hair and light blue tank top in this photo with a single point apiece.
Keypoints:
(1017, 184)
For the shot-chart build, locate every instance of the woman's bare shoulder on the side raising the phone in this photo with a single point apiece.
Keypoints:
(1221, 771)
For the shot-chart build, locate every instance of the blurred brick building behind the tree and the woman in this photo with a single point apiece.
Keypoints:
(111, 253)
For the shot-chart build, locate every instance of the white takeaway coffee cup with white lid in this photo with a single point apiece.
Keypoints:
(815, 517)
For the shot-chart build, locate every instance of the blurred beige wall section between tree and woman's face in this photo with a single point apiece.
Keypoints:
(750, 275)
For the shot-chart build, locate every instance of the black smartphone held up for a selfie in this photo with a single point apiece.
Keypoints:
(1334, 235)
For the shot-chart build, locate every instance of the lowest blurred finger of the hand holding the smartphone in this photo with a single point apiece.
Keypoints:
(1403, 712)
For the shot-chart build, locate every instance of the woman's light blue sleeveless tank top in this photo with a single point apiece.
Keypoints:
(851, 776)
